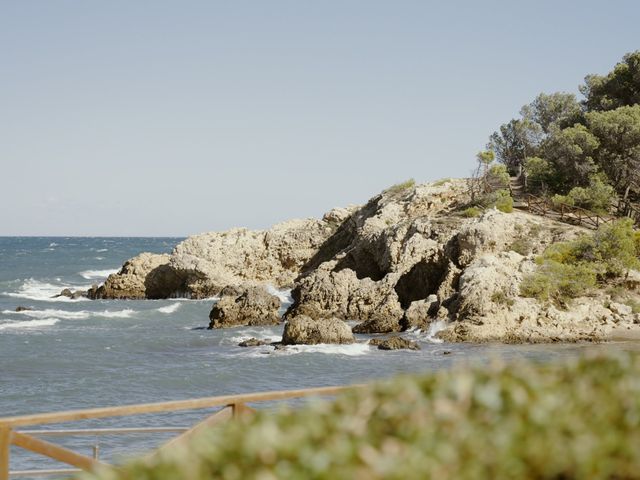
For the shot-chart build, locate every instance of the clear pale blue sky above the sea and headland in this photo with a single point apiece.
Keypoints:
(172, 118)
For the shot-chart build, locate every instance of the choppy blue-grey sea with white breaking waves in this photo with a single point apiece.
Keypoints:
(65, 354)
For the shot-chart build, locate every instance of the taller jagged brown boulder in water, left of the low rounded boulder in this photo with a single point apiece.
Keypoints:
(255, 306)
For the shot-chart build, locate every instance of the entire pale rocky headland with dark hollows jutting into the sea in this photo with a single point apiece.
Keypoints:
(406, 259)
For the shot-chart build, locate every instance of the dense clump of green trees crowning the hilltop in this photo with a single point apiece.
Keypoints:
(587, 151)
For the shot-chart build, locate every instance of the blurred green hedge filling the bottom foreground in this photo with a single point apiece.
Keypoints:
(575, 420)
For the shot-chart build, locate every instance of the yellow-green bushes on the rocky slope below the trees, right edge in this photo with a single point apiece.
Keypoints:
(570, 269)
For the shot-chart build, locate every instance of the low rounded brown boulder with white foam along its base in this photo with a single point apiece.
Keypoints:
(303, 330)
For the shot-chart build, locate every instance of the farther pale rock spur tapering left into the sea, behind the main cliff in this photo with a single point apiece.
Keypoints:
(202, 265)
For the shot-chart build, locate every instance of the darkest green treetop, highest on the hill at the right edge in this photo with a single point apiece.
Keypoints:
(618, 88)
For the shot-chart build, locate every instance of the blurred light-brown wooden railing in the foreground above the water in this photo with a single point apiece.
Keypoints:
(231, 406)
